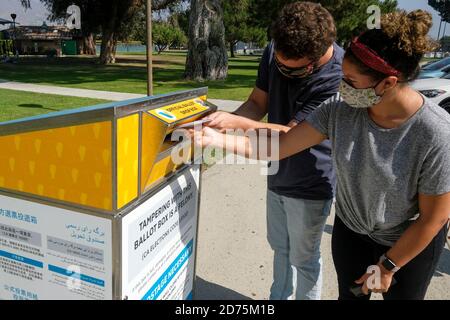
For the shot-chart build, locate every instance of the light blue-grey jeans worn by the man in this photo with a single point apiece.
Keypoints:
(294, 231)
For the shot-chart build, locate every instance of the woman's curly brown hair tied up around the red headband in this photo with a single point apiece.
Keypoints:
(402, 41)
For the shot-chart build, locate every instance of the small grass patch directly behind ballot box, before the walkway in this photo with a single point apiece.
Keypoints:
(19, 104)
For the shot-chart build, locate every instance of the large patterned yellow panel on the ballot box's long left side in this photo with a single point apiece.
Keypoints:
(71, 164)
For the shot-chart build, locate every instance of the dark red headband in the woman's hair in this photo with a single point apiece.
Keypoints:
(371, 59)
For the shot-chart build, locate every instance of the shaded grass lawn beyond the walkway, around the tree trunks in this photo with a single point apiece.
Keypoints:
(129, 74)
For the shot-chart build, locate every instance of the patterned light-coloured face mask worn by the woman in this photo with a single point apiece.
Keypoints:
(359, 98)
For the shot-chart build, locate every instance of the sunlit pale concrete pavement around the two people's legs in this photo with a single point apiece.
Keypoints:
(234, 259)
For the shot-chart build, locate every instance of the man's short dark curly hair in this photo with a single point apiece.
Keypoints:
(303, 30)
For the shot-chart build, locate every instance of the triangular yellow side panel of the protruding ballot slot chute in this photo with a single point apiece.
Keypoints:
(153, 135)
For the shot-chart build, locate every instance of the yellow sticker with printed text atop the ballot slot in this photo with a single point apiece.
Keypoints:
(180, 111)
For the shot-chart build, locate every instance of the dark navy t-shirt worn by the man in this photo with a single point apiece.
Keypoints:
(309, 174)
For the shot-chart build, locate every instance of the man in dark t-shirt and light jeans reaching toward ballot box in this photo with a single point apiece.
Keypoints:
(299, 70)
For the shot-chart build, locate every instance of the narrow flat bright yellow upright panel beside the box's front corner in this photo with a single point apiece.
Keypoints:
(127, 159)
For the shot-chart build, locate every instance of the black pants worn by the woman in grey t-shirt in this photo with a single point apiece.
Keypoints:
(353, 253)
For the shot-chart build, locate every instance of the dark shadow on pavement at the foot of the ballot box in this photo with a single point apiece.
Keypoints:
(205, 290)
